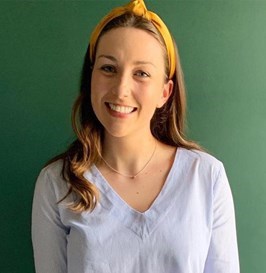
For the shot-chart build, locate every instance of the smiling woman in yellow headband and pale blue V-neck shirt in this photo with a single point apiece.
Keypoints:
(131, 194)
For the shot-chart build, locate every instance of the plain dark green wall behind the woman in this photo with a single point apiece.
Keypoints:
(223, 51)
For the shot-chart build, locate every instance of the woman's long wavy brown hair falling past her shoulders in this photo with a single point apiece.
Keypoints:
(167, 124)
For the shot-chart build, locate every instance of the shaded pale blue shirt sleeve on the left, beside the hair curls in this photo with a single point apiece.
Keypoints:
(48, 232)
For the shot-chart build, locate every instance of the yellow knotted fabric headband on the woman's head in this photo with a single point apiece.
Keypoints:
(138, 8)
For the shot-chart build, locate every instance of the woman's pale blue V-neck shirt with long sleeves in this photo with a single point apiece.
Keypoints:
(189, 228)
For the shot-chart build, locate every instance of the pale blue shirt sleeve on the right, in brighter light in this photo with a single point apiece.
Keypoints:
(223, 252)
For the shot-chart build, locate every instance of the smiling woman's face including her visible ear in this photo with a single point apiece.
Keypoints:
(128, 81)
